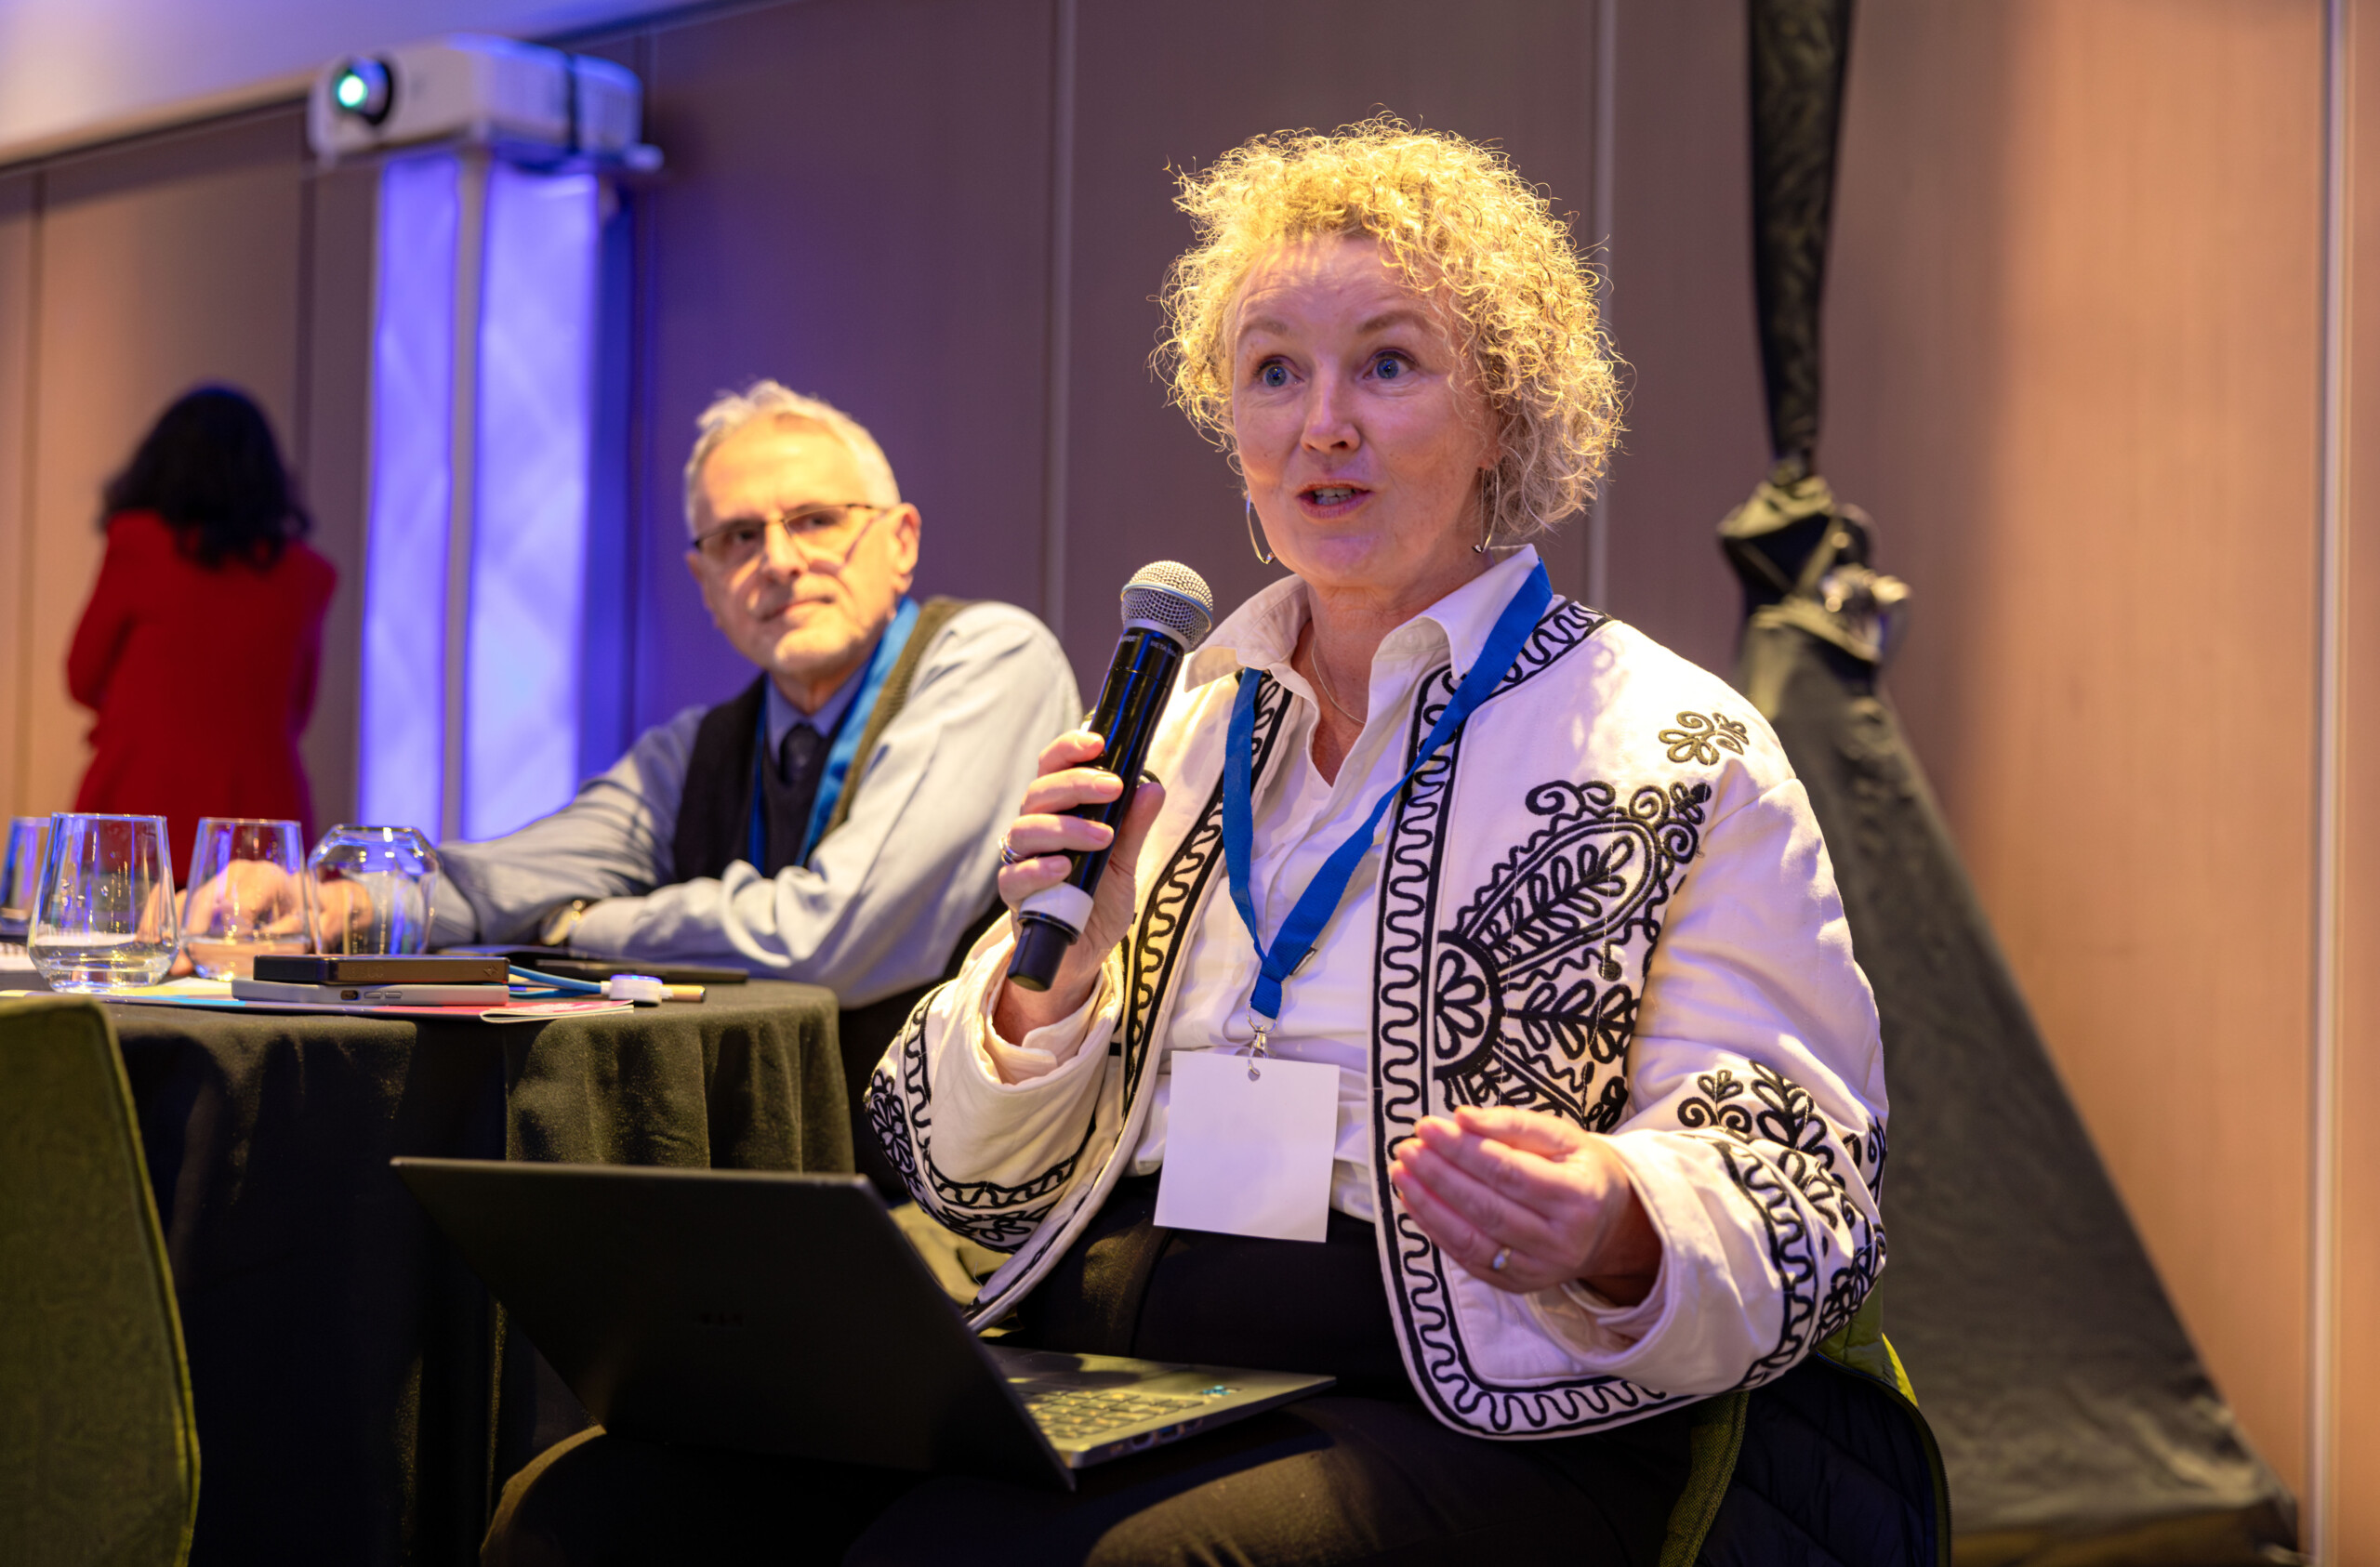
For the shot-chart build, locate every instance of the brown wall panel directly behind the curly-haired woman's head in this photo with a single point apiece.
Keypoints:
(1170, 87)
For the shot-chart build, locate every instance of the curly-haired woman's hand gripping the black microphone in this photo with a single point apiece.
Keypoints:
(1039, 836)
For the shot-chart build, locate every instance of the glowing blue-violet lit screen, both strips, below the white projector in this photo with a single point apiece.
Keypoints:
(496, 743)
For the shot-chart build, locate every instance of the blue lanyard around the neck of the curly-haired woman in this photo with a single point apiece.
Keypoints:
(1329, 886)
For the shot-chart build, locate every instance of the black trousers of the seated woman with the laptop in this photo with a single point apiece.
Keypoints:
(1358, 1475)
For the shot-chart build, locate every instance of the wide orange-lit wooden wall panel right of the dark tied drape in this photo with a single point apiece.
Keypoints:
(2074, 370)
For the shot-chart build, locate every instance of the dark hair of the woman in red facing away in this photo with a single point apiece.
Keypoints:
(213, 470)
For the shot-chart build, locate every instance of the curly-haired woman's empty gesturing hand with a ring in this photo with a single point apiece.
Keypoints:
(1546, 1197)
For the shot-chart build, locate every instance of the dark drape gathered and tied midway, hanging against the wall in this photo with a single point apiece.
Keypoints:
(2074, 1416)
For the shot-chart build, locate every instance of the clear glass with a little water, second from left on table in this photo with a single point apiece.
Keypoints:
(106, 910)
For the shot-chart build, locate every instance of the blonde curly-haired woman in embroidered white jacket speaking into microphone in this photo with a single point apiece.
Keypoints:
(1536, 898)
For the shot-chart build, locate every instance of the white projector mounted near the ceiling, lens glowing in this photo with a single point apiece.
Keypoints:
(520, 99)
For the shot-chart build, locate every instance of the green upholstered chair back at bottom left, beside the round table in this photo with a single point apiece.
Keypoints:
(99, 1452)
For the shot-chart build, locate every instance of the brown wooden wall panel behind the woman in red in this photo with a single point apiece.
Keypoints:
(161, 265)
